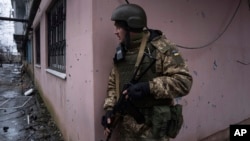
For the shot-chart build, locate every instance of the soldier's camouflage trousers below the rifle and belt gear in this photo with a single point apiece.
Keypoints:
(131, 131)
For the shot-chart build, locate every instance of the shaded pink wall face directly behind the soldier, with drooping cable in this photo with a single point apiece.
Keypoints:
(220, 70)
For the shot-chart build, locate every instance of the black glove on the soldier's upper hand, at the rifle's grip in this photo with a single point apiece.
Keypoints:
(138, 91)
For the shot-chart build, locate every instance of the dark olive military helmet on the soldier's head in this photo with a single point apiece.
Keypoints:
(132, 14)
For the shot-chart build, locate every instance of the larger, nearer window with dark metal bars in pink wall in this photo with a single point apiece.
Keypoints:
(56, 36)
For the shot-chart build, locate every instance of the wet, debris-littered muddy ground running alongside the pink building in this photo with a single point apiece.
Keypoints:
(23, 115)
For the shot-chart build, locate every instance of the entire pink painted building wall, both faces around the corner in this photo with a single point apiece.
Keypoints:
(220, 93)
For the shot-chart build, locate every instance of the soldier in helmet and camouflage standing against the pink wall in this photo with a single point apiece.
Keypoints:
(166, 79)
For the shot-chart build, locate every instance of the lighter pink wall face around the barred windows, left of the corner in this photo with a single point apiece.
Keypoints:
(72, 98)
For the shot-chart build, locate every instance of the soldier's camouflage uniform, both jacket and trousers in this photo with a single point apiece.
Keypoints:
(168, 78)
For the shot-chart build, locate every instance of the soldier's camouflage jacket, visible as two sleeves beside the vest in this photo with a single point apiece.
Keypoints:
(173, 79)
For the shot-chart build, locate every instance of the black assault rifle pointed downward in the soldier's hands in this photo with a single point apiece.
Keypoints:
(125, 106)
